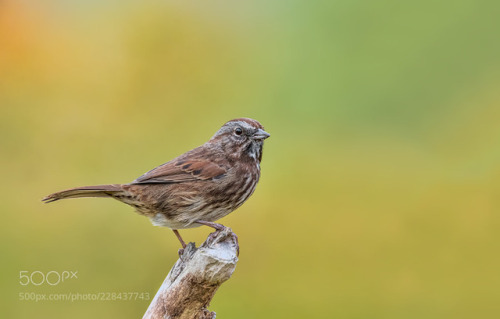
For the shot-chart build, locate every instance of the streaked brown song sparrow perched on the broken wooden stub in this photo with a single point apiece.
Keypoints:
(196, 188)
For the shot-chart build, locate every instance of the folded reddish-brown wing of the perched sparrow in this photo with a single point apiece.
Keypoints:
(182, 169)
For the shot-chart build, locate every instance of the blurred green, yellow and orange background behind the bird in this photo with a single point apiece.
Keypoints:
(380, 188)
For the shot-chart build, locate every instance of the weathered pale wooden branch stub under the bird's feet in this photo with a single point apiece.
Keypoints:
(192, 282)
